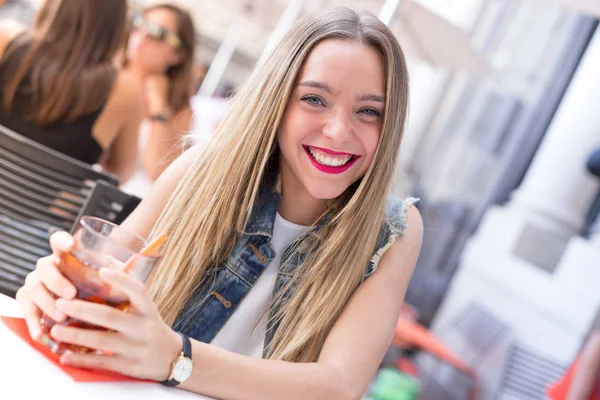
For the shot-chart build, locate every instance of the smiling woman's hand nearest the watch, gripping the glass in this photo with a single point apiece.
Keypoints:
(141, 345)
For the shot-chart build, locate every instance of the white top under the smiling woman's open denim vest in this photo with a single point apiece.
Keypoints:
(239, 333)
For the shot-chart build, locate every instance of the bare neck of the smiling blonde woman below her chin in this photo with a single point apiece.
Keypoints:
(297, 205)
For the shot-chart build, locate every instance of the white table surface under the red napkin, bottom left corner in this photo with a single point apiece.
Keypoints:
(26, 374)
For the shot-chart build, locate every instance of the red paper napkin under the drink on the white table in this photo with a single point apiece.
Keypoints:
(18, 327)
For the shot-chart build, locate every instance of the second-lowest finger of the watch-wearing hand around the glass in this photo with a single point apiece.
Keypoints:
(92, 339)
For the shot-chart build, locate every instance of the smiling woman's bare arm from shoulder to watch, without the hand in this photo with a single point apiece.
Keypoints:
(350, 356)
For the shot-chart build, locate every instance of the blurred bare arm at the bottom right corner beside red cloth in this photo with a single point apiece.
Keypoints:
(587, 371)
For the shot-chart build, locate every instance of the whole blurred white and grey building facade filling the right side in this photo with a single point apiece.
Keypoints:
(502, 173)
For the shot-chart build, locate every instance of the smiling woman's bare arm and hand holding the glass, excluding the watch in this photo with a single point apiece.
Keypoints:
(144, 346)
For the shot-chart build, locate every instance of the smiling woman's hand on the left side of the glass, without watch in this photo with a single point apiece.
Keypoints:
(45, 284)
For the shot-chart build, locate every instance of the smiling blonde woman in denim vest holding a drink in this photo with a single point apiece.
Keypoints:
(287, 262)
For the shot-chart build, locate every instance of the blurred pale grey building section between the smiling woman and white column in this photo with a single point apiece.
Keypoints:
(472, 148)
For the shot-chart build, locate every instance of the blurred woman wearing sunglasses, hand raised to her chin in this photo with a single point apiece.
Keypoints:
(160, 53)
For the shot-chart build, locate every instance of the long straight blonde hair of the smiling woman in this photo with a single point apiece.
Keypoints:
(211, 207)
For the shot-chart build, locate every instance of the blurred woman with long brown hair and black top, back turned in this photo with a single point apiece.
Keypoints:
(59, 85)
